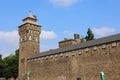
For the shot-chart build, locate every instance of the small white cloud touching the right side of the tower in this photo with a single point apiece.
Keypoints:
(48, 35)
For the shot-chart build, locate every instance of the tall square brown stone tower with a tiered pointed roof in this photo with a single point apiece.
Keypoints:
(29, 33)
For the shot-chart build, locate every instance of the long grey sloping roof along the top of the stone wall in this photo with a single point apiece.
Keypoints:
(94, 42)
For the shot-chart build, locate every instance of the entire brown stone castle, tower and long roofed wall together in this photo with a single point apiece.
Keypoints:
(78, 61)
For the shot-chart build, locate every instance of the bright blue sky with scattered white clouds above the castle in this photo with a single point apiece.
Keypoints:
(59, 19)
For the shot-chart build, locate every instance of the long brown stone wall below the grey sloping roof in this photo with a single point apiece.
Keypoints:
(84, 64)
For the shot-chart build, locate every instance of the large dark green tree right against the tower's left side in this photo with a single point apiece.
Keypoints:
(11, 65)
